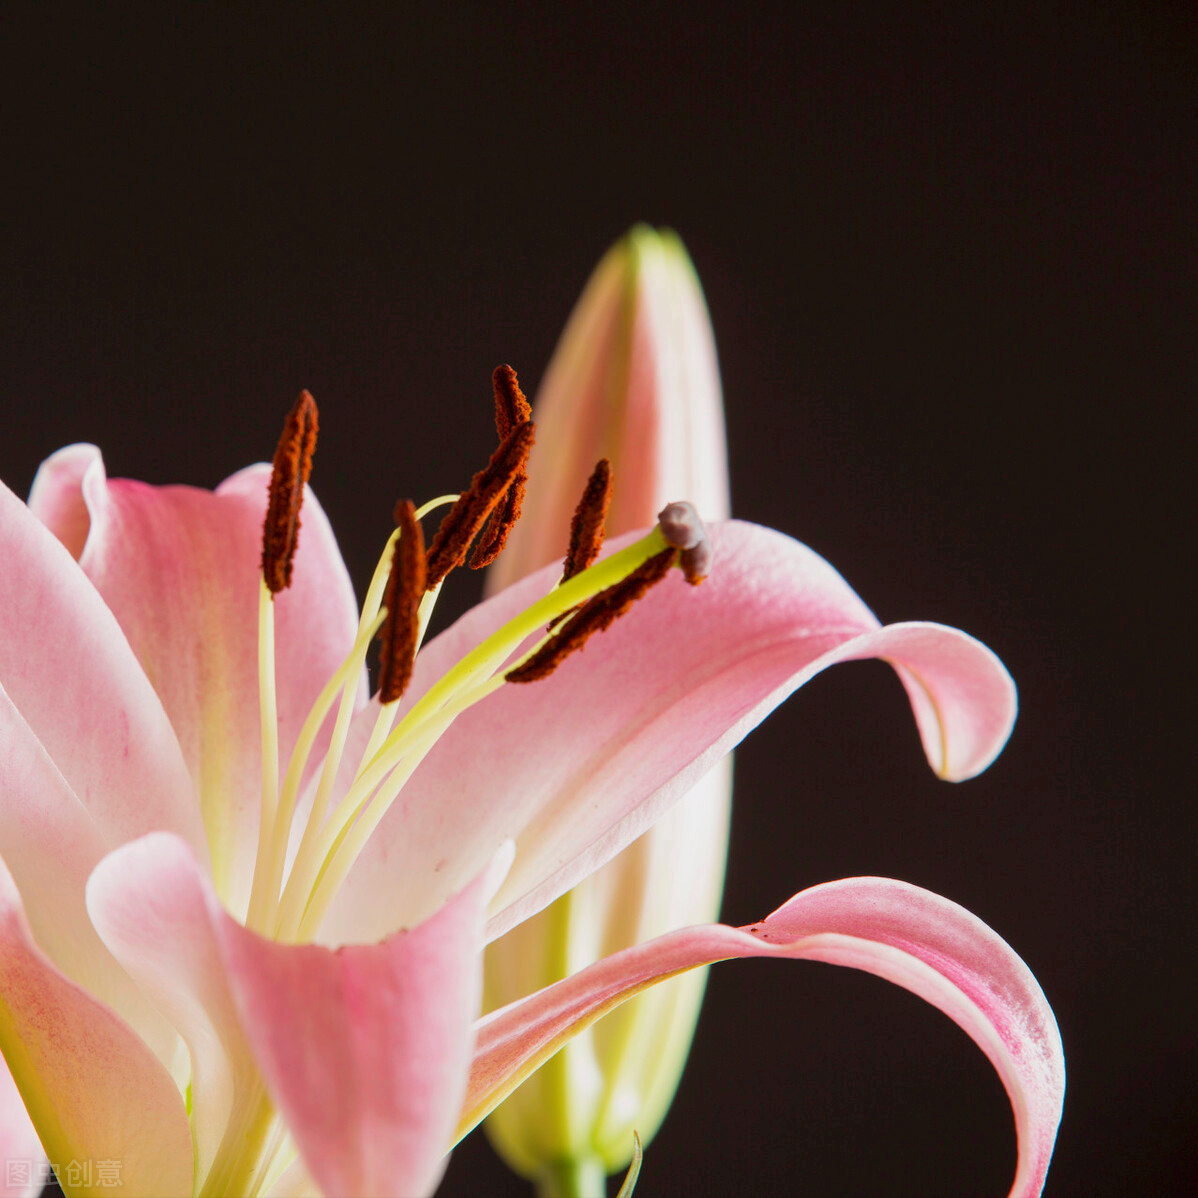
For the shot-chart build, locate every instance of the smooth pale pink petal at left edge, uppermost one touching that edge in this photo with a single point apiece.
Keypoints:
(69, 671)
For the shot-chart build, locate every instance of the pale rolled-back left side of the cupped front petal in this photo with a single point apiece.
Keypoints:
(148, 903)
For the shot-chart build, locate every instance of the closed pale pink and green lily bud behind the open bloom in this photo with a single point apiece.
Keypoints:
(634, 380)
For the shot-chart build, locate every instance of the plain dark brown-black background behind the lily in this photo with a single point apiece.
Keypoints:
(948, 253)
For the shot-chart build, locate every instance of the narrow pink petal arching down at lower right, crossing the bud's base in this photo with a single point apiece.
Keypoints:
(917, 940)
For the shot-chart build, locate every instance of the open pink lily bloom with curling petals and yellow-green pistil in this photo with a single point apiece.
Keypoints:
(222, 977)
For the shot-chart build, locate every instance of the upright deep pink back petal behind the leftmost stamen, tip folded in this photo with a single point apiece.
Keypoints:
(180, 570)
